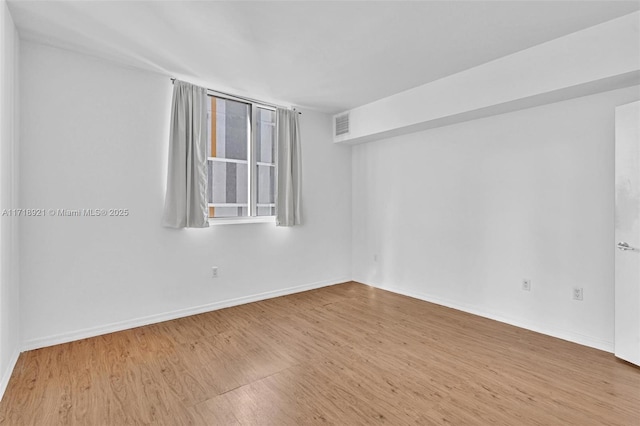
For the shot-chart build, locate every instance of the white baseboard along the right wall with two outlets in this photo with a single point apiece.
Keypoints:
(547, 329)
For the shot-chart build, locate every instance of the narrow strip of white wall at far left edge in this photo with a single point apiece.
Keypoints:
(9, 302)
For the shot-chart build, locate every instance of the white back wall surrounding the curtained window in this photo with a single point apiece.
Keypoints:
(95, 135)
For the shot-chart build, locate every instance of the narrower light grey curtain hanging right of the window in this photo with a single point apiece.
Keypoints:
(289, 185)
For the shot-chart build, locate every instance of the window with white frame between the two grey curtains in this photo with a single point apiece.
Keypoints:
(241, 159)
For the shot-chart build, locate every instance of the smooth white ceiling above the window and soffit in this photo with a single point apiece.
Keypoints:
(326, 55)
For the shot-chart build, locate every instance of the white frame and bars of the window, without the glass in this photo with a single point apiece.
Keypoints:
(251, 165)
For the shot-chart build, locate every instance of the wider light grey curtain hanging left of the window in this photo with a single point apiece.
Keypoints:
(185, 204)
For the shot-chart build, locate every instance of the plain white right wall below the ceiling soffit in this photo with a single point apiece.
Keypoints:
(461, 214)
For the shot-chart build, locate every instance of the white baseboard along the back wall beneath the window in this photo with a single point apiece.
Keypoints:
(166, 316)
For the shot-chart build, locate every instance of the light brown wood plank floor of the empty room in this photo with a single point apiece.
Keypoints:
(347, 354)
